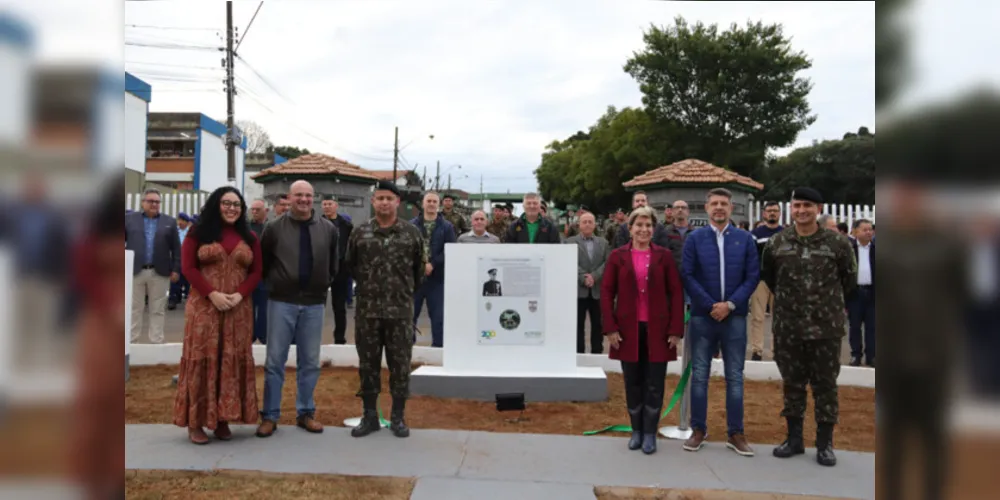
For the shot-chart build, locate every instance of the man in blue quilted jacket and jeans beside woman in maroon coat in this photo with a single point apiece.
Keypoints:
(720, 271)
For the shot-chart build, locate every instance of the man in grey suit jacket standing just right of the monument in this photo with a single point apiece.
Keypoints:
(593, 255)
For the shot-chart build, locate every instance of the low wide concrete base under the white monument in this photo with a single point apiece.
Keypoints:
(583, 385)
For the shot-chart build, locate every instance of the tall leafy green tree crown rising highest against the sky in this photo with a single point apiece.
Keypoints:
(733, 94)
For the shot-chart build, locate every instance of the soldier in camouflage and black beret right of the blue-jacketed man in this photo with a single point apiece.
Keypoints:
(810, 270)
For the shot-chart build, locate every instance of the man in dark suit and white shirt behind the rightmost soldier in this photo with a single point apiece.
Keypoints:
(861, 303)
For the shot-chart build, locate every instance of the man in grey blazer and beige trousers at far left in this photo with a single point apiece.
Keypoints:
(154, 238)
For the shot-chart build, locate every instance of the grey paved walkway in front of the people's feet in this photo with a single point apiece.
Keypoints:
(462, 465)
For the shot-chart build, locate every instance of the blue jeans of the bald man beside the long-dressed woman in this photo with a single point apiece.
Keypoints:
(287, 322)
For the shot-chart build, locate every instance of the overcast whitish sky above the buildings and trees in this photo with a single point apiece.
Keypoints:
(493, 81)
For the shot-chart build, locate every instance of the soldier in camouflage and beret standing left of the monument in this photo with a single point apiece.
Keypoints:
(386, 258)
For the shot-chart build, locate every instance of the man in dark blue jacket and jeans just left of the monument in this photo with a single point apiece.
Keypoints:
(437, 231)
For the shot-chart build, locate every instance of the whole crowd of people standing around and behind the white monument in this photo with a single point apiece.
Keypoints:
(252, 279)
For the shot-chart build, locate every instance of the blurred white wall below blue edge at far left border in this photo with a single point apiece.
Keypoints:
(15, 94)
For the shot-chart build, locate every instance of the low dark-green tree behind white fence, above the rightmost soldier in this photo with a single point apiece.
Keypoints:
(843, 170)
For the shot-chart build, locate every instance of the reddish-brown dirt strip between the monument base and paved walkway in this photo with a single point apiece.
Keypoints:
(149, 399)
